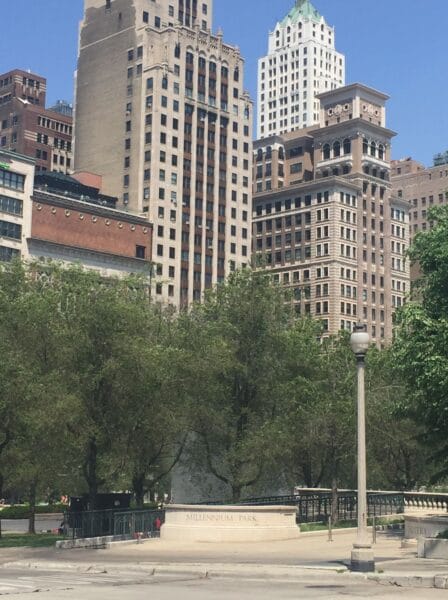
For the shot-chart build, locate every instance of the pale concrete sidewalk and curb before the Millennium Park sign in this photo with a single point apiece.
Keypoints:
(274, 560)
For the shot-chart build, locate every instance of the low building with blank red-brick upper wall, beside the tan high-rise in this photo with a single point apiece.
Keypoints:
(75, 223)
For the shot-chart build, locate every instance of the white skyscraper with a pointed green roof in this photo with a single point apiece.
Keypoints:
(301, 63)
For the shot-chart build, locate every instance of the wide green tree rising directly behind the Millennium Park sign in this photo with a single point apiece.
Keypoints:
(235, 341)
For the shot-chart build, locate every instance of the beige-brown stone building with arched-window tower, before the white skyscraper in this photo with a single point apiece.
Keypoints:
(326, 222)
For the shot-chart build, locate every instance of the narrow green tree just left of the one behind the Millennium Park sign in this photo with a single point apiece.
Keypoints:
(155, 403)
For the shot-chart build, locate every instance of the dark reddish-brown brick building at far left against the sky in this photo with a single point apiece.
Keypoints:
(28, 128)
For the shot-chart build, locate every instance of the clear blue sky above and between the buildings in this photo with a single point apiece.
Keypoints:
(397, 46)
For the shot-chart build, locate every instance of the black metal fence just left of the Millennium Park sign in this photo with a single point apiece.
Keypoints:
(127, 524)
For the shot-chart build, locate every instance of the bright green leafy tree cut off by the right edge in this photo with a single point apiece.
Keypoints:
(420, 347)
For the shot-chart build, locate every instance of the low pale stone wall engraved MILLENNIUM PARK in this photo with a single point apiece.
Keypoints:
(187, 523)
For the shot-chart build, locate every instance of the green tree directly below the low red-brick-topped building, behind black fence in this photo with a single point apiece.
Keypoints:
(104, 324)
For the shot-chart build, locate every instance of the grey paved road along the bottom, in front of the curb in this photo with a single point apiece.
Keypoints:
(74, 586)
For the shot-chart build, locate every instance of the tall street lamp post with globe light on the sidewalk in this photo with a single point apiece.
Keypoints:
(362, 558)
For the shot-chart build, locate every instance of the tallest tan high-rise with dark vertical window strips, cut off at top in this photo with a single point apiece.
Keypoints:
(162, 116)
